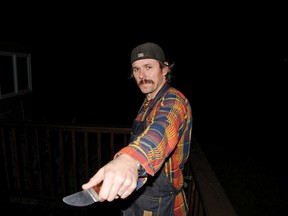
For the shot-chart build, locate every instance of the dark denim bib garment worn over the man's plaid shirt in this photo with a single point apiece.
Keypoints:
(157, 196)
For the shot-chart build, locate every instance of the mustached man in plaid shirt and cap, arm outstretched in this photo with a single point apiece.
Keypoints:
(147, 173)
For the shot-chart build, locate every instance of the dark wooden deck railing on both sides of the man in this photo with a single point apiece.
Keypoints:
(42, 163)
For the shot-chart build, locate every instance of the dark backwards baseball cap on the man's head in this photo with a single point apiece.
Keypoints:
(147, 50)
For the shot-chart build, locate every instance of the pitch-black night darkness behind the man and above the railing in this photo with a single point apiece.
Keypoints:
(231, 65)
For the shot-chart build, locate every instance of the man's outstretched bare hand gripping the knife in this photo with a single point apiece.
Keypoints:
(119, 178)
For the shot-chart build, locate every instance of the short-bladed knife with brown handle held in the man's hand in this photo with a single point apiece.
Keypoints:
(84, 197)
